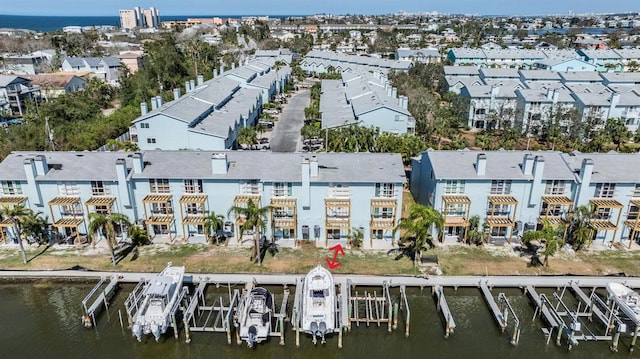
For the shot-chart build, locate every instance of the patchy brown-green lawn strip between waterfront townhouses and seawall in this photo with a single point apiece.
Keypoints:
(200, 258)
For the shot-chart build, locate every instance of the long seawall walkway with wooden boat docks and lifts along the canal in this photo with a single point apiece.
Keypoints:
(367, 300)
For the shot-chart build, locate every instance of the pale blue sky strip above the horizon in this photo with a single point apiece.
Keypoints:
(305, 7)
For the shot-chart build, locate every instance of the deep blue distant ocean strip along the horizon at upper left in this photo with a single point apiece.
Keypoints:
(54, 23)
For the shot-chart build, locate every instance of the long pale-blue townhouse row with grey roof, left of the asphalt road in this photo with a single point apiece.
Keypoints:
(211, 113)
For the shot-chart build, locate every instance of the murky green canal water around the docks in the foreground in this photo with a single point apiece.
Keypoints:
(42, 320)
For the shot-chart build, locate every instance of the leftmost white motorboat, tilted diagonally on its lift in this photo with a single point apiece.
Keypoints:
(157, 301)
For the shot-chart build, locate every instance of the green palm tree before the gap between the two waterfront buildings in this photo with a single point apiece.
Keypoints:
(416, 228)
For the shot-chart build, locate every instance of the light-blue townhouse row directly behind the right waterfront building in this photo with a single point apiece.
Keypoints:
(529, 98)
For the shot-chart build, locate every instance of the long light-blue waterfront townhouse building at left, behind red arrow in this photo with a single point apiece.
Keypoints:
(319, 197)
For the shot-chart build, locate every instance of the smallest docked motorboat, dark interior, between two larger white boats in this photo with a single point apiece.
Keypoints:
(255, 314)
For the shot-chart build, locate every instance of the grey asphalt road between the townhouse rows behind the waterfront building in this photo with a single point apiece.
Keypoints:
(285, 136)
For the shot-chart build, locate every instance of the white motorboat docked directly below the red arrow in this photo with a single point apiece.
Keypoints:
(318, 304)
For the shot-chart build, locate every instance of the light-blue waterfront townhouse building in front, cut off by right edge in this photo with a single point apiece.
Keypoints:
(516, 191)
